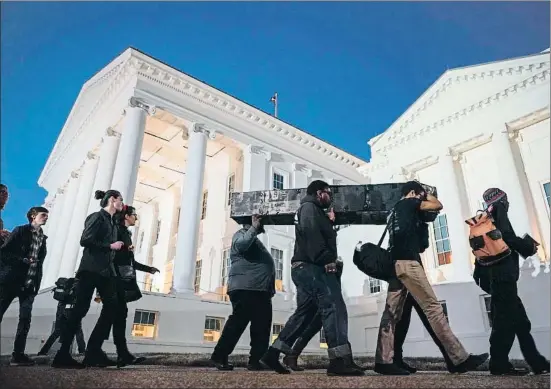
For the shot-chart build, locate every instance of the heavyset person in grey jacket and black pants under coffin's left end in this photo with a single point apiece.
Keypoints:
(251, 287)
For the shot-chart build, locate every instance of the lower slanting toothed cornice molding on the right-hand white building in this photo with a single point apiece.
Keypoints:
(436, 126)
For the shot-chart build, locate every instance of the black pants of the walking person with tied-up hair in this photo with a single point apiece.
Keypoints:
(107, 288)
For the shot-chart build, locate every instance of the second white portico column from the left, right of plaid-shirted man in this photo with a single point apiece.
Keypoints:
(63, 227)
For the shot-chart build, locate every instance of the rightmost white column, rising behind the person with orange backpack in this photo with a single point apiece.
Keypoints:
(519, 212)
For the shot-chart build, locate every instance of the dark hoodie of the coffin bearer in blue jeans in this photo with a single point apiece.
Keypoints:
(315, 238)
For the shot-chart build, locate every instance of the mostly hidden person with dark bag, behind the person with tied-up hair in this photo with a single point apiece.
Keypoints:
(64, 306)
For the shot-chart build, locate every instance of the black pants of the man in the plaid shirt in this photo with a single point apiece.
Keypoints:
(8, 293)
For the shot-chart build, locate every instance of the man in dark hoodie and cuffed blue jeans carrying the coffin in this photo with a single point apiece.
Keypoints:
(313, 271)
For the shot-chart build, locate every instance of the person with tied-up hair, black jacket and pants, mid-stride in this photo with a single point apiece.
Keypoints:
(96, 271)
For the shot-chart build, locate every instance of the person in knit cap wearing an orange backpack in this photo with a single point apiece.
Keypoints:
(497, 248)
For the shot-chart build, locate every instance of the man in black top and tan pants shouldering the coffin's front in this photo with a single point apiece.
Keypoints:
(405, 248)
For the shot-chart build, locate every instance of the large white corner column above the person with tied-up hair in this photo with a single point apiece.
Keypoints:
(130, 149)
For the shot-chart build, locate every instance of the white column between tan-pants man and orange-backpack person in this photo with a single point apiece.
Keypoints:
(449, 193)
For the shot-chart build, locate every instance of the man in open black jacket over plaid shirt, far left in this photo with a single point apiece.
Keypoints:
(21, 261)
